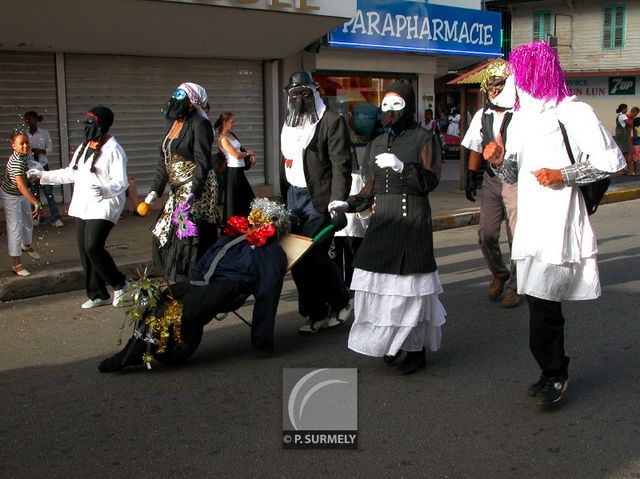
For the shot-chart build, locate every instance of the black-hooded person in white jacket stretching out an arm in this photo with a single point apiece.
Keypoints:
(98, 171)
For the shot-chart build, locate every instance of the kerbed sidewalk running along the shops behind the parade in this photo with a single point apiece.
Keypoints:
(59, 268)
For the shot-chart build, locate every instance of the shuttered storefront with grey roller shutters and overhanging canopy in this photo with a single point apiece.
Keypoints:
(138, 52)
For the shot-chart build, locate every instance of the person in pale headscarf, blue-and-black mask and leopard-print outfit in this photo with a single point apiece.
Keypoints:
(186, 227)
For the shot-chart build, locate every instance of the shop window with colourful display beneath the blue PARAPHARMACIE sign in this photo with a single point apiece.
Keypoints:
(357, 99)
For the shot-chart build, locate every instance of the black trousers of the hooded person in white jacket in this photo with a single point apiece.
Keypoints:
(97, 263)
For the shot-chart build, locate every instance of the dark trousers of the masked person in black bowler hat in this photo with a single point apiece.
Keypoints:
(316, 276)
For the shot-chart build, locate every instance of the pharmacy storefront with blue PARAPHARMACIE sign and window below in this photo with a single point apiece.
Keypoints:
(405, 40)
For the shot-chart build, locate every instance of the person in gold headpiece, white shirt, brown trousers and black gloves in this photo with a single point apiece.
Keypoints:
(499, 199)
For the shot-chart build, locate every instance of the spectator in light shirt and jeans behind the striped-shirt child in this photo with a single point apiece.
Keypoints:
(41, 147)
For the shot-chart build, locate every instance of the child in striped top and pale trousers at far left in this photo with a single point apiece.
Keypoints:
(16, 196)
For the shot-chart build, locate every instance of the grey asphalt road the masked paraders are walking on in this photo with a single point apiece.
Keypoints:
(220, 415)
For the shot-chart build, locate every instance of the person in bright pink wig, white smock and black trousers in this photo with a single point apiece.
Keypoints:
(554, 245)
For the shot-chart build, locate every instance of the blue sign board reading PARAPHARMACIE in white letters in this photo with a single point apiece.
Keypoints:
(420, 27)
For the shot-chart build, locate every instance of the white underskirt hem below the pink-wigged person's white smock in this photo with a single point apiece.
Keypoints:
(571, 281)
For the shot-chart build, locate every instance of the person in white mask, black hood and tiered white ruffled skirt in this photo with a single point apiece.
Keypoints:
(395, 279)
